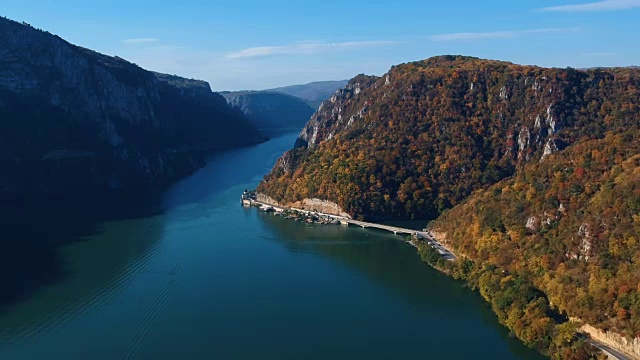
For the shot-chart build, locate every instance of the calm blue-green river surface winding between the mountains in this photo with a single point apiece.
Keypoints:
(204, 278)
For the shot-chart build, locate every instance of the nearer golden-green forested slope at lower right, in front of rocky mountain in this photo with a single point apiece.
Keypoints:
(570, 226)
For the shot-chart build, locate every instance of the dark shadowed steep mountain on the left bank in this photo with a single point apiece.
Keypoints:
(74, 120)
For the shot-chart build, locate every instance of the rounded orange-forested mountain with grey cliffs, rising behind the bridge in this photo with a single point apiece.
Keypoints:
(423, 137)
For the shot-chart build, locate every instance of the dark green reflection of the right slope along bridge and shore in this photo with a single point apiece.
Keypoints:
(442, 302)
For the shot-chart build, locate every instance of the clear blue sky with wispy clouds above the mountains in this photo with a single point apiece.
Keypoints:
(259, 44)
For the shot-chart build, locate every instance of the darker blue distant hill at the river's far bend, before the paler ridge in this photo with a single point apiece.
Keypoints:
(271, 112)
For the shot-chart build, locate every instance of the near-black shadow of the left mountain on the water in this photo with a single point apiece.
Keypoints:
(34, 236)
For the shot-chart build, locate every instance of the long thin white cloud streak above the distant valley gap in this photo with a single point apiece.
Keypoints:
(303, 48)
